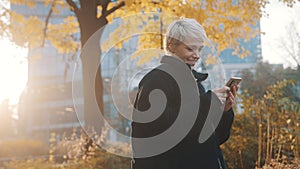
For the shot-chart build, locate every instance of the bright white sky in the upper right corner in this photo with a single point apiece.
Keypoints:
(274, 27)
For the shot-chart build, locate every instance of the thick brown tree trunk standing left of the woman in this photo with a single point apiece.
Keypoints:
(91, 69)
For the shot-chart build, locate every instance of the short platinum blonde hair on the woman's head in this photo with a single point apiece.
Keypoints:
(184, 30)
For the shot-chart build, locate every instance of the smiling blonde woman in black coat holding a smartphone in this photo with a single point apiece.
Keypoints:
(183, 43)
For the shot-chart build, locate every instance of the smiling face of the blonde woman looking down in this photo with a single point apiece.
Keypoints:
(189, 54)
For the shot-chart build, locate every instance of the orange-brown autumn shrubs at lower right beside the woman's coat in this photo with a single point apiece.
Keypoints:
(266, 131)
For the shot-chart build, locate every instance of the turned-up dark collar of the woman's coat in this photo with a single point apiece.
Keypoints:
(173, 60)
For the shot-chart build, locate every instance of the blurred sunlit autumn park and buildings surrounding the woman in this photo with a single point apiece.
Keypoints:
(44, 125)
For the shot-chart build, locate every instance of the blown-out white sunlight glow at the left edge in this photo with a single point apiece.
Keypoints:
(13, 71)
